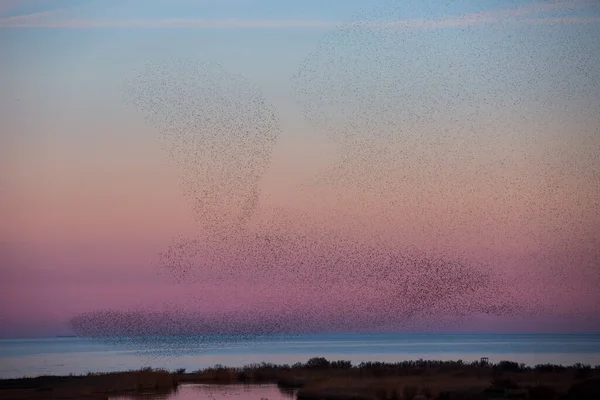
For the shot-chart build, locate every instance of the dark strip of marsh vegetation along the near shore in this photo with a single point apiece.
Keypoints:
(338, 380)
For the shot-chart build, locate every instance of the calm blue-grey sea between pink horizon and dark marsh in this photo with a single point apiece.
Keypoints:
(61, 356)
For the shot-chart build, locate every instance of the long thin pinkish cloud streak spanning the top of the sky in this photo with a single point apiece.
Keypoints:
(51, 19)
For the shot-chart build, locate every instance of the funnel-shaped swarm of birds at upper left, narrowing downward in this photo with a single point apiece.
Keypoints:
(218, 130)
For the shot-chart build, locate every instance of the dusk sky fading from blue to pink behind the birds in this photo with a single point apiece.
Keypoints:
(497, 159)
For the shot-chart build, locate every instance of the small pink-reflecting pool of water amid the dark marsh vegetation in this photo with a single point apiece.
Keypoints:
(218, 392)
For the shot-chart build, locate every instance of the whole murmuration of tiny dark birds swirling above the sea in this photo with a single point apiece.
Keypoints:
(220, 132)
